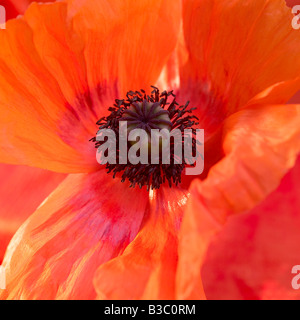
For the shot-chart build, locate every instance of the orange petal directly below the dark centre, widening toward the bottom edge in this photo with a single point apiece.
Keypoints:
(147, 268)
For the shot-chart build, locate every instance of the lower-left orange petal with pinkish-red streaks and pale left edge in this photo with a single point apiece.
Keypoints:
(87, 221)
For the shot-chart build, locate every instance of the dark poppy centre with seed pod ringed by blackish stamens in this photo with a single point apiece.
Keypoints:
(148, 112)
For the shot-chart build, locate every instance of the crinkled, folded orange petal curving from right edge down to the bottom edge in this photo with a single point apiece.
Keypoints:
(260, 145)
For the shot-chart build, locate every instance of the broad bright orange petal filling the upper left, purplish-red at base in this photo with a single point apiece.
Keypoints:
(59, 78)
